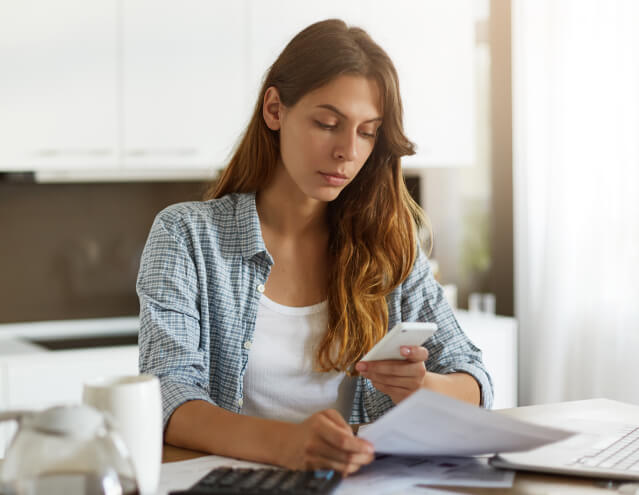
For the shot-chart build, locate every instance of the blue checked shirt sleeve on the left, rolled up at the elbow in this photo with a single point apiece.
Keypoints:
(170, 341)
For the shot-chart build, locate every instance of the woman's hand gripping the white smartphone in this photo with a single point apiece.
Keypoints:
(396, 378)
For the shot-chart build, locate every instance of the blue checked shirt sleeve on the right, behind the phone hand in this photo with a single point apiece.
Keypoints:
(450, 350)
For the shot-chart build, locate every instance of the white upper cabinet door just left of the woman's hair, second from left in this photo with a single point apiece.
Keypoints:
(184, 78)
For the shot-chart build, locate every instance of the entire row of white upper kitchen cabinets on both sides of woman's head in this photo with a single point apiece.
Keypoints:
(164, 89)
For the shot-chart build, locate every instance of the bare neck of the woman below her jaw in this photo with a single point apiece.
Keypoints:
(286, 210)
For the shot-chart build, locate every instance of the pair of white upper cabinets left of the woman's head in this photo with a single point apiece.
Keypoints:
(122, 89)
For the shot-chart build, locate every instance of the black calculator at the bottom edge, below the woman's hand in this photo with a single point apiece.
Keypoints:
(264, 481)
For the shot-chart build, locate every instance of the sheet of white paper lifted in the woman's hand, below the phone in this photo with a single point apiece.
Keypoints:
(428, 423)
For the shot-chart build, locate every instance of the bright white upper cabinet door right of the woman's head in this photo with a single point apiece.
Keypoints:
(432, 44)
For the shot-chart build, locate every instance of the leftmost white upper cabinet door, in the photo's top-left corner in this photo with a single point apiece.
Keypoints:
(58, 84)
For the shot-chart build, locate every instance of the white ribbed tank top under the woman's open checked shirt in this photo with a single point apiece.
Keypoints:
(279, 382)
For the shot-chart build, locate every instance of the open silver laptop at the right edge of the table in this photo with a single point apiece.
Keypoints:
(600, 450)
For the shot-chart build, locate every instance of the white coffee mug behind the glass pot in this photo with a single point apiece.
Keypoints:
(134, 402)
